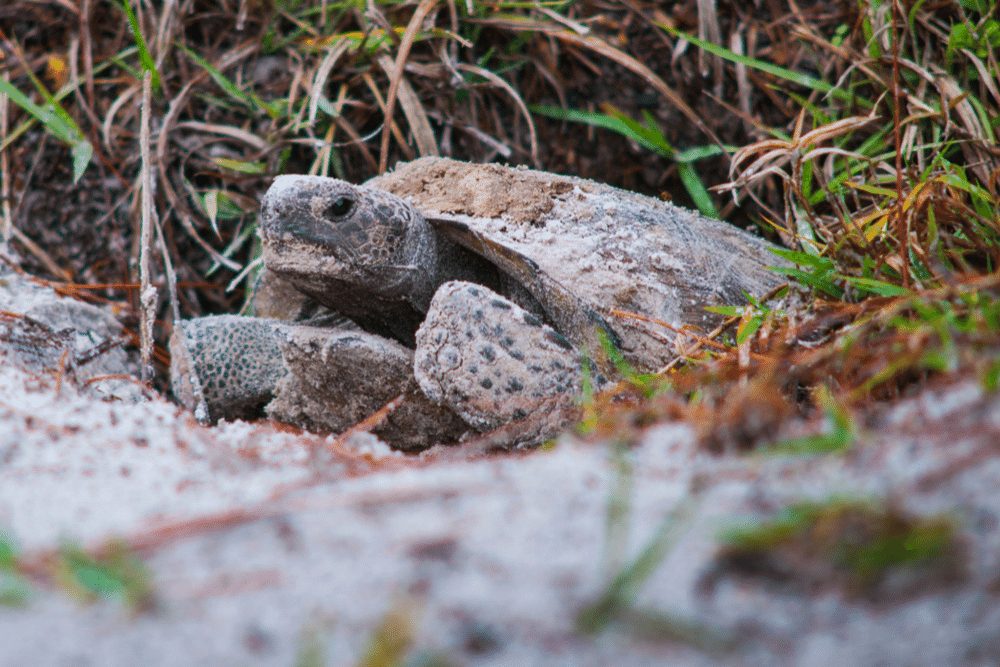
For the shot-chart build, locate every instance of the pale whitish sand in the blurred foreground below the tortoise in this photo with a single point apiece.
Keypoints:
(263, 545)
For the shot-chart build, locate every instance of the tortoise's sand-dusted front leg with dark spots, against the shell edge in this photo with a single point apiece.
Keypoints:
(495, 364)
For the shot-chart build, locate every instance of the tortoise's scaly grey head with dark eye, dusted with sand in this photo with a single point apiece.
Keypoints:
(328, 236)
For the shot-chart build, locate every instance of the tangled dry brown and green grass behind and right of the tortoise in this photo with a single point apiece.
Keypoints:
(860, 134)
